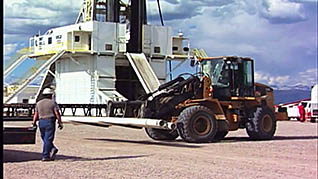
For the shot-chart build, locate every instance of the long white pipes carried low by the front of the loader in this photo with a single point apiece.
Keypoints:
(137, 122)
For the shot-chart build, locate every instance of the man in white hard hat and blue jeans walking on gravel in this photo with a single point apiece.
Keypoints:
(47, 111)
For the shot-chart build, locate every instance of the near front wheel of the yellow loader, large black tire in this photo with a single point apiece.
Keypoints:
(198, 124)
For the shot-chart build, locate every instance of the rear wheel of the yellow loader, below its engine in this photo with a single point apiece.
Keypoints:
(263, 125)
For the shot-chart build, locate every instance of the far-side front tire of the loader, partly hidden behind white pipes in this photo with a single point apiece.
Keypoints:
(160, 134)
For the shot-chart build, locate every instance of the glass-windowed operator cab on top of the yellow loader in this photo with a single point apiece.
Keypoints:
(230, 76)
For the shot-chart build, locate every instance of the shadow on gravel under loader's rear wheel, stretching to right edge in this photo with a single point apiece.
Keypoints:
(276, 138)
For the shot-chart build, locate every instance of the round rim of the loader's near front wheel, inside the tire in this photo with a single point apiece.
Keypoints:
(201, 125)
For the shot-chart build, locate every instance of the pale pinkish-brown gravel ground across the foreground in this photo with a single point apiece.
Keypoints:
(94, 152)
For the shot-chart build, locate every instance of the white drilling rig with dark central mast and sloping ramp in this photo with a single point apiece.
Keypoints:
(109, 53)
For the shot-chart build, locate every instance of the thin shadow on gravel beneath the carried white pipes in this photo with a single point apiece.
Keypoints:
(147, 142)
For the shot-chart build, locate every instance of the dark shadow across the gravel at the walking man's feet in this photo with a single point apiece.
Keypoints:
(14, 156)
